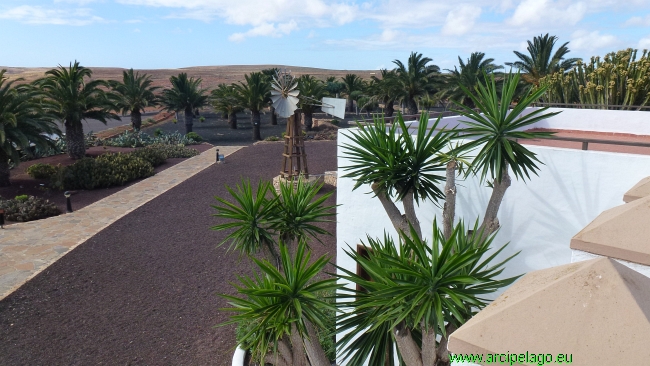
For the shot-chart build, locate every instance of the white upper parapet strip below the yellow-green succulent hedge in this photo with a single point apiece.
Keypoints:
(595, 120)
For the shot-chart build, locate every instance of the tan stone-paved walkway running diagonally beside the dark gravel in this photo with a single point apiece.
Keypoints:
(28, 248)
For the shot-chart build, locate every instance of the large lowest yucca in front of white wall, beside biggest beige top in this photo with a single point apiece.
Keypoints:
(414, 292)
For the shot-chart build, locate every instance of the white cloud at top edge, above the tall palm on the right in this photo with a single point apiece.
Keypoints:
(546, 12)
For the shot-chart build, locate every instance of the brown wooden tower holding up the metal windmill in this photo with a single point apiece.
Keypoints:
(294, 158)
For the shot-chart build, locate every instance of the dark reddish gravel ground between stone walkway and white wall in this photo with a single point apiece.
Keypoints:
(144, 290)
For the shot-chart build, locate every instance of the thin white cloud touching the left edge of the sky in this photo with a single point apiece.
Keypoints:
(40, 15)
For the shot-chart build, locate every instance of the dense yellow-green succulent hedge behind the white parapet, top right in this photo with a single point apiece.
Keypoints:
(618, 79)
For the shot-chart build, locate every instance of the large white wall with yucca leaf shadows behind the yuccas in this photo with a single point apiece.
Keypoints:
(538, 217)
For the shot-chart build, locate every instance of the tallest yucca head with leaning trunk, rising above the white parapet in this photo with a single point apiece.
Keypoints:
(497, 129)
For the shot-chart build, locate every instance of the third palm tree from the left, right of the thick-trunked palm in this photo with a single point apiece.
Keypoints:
(133, 94)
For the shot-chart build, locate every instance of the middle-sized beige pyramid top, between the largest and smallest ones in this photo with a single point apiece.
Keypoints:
(621, 232)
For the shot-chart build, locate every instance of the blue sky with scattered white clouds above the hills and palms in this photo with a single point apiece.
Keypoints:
(317, 33)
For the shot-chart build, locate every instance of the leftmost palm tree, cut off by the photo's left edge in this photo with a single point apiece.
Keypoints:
(23, 122)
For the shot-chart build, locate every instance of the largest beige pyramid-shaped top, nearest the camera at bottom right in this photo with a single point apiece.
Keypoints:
(597, 312)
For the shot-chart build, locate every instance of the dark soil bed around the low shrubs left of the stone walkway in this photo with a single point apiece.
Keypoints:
(22, 183)
